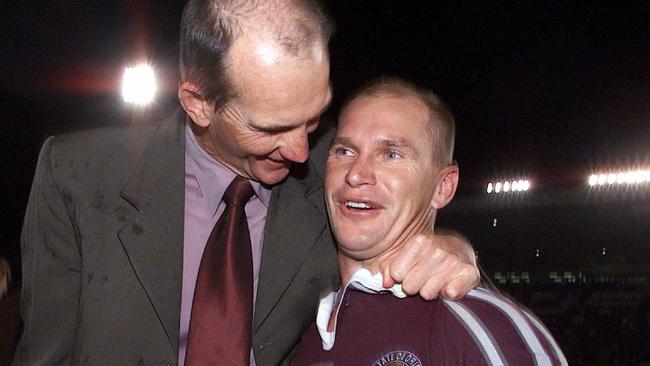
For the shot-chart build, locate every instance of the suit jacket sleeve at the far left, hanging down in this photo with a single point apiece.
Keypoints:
(51, 264)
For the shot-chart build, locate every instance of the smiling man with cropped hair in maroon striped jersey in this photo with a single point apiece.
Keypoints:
(389, 170)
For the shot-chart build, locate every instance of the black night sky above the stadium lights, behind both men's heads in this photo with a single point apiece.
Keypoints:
(549, 89)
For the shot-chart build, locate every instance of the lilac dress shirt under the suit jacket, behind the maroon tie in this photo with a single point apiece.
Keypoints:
(206, 180)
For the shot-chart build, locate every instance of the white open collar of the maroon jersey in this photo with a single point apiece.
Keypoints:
(361, 280)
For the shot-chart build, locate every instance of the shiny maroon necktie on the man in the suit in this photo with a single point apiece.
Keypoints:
(222, 309)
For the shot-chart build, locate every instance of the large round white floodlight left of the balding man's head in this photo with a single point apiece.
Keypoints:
(139, 85)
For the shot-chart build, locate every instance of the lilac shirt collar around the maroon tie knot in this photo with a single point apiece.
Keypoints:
(207, 170)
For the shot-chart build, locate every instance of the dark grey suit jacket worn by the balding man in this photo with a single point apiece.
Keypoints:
(102, 250)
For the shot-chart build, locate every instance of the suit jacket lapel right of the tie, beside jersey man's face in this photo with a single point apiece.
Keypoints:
(294, 222)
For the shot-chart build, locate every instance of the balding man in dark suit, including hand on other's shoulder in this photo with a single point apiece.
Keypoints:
(147, 245)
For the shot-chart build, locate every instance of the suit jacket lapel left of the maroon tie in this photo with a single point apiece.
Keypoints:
(153, 239)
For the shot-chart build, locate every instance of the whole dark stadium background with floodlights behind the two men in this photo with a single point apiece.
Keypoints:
(550, 96)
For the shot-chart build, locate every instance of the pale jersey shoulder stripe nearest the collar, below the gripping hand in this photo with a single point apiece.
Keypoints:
(480, 334)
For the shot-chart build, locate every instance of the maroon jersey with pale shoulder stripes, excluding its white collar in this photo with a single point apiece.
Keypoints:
(381, 330)
